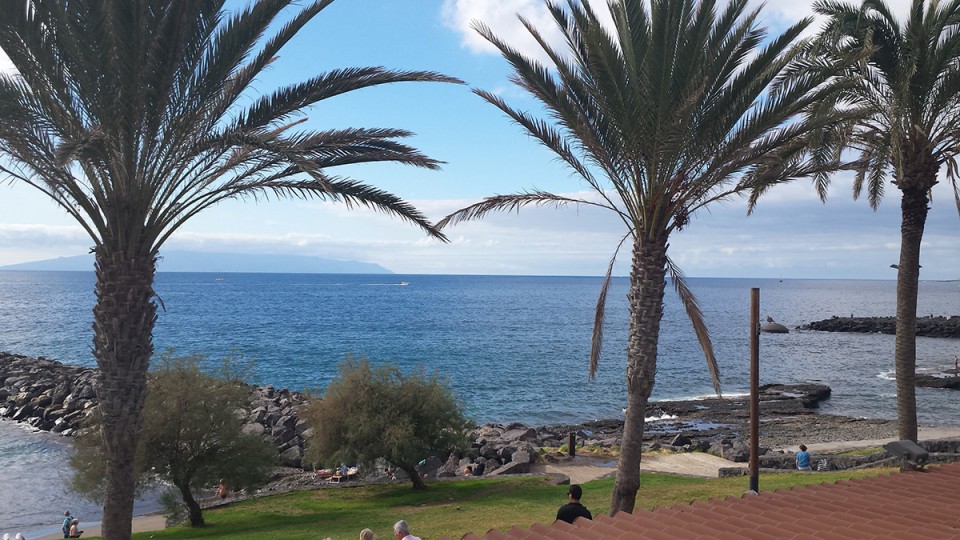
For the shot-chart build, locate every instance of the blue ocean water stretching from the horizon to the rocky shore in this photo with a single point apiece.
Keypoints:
(514, 348)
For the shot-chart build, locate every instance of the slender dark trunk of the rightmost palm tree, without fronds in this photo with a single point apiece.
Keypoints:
(913, 208)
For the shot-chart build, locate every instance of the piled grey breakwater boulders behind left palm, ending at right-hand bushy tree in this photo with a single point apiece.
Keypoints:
(54, 397)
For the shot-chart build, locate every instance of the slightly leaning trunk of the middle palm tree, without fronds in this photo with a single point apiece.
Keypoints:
(647, 283)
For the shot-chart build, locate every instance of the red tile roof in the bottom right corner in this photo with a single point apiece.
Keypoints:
(907, 505)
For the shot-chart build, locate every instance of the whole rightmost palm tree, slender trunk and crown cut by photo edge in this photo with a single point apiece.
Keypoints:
(908, 98)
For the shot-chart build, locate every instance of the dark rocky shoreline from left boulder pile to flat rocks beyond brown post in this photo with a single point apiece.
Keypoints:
(54, 397)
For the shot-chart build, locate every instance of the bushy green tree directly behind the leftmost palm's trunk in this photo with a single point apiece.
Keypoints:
(192, 437)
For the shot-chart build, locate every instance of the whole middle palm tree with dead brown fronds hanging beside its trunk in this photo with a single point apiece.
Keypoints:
(668, 111)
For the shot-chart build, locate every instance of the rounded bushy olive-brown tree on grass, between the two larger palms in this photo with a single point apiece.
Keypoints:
(378, 412)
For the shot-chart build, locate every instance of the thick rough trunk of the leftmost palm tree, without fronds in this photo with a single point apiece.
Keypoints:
(123, 321)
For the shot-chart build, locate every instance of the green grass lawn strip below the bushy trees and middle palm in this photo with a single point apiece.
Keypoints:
(455, 508)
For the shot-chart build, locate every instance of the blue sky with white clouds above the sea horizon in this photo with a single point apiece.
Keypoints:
(790, 235)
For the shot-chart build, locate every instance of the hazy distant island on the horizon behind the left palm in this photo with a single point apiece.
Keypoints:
(191, 261)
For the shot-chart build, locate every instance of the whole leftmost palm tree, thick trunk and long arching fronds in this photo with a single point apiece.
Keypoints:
(135, 116)
